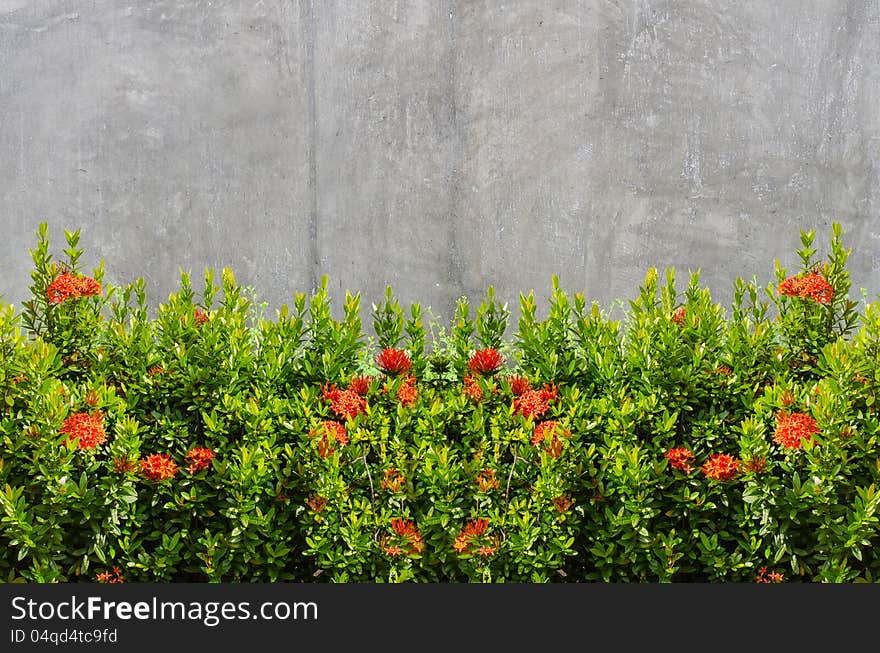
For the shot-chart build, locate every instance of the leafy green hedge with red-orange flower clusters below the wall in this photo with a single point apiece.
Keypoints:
(202, 441)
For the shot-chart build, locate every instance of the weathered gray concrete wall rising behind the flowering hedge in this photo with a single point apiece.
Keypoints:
(439, 145)
